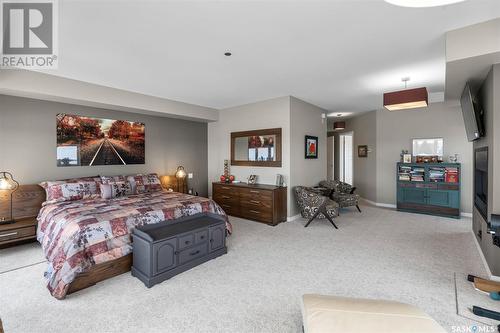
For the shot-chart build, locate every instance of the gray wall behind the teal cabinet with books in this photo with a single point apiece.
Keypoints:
(395, 131)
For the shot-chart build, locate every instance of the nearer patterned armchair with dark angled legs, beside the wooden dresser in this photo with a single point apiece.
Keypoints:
(314, 205)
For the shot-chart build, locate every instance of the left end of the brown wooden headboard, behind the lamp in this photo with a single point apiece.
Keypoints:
(26, 201)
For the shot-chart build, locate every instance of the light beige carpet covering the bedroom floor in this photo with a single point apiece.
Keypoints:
(257, 286)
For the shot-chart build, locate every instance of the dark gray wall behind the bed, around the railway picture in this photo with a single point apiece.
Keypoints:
(28, 143)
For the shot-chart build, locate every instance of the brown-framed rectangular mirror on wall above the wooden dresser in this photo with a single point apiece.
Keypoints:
(256, 148)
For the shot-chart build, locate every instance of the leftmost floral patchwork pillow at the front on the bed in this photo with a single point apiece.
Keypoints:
(72, 189)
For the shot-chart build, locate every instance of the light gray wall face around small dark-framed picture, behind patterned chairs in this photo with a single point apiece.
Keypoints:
(305, 119)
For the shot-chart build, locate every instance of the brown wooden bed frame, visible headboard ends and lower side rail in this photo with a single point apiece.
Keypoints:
(27, 202)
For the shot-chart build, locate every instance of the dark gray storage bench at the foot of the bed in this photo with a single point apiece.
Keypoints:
(166, 249)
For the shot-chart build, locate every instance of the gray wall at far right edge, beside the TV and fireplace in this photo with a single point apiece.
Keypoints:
(489, 96)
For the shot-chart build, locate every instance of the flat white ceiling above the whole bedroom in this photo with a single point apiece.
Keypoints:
(339, 55)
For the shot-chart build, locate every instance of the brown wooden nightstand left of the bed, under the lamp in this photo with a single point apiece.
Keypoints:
(22, 230)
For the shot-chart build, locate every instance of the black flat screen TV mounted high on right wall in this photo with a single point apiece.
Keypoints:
(472, 114)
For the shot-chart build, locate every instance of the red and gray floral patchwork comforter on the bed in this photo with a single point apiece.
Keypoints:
(76, 235)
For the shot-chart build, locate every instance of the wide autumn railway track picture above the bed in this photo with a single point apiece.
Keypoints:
(85, 141)
